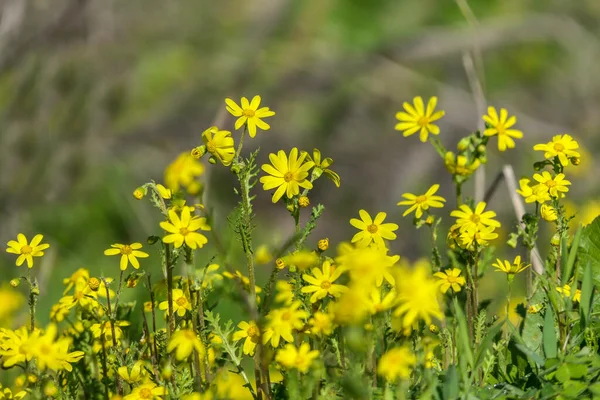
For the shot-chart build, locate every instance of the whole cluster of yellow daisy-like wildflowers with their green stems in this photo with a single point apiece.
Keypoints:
(294, 326)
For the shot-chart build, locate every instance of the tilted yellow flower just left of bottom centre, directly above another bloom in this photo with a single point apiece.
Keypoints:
(282, 321)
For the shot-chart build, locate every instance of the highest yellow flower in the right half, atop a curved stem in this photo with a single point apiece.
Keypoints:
(416, 118)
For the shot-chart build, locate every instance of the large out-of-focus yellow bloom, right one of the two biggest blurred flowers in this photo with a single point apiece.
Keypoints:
(417, 296)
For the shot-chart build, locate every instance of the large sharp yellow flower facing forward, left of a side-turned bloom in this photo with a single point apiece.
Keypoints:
(287, 174)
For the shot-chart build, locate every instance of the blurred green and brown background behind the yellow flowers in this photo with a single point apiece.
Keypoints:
(98, 96)
